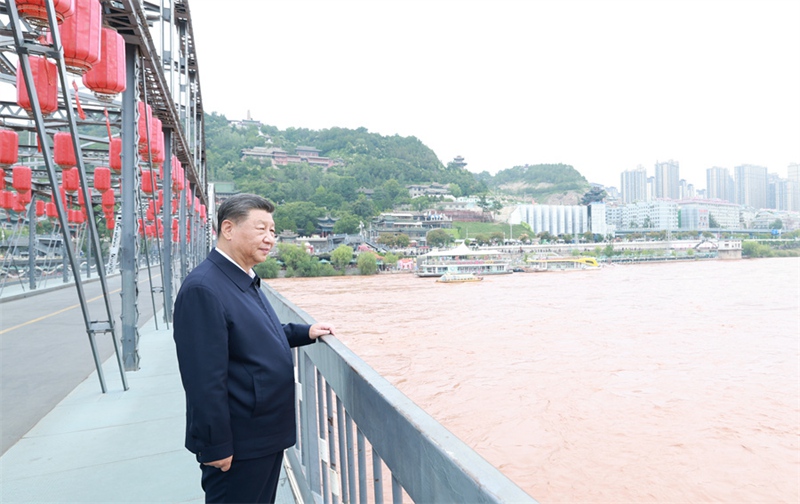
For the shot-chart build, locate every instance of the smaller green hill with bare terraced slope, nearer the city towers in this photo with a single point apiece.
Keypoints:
(536, 181)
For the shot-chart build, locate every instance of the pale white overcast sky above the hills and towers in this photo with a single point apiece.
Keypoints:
(602, 85)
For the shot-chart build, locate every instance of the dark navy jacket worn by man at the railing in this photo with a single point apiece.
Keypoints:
(236, 364)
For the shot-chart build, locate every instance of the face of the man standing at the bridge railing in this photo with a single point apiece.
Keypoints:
(252, 238)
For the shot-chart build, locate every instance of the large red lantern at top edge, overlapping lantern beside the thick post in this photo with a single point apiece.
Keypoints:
(80, 36)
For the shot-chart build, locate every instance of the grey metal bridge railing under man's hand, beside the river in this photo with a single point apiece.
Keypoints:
(360, 438)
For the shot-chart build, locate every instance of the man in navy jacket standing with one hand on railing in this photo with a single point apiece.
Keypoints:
(235, 360)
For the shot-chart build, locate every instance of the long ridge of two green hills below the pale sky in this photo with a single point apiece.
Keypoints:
(369, 161)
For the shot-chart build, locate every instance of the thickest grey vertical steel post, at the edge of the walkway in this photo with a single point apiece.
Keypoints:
(130, 334)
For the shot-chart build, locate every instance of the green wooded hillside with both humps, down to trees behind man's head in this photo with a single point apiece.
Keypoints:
(370, 175)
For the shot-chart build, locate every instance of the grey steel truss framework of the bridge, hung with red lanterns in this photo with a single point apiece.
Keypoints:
(166, 77)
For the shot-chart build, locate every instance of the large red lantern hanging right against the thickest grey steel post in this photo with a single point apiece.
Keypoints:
(107, 78)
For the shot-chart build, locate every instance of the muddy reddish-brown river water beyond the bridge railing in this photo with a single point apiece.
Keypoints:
(675, 382)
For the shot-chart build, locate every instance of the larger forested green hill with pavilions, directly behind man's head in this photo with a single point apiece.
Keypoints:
(368, 160)
